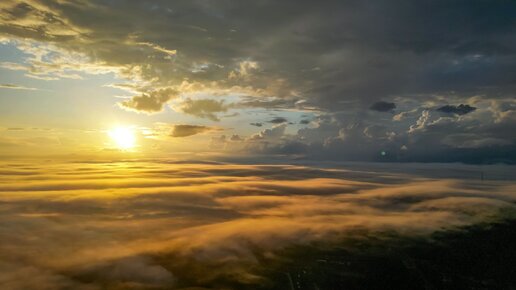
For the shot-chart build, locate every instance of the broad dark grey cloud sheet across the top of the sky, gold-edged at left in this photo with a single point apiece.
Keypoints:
(388, 50)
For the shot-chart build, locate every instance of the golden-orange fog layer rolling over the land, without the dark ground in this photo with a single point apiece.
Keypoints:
(214, 224)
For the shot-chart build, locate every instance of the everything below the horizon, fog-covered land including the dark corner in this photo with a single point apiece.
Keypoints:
(157, 224)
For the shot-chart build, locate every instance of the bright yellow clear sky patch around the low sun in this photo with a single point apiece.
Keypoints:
(81, 114)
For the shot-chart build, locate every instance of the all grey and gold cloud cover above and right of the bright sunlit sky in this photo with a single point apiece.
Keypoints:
(342, 64)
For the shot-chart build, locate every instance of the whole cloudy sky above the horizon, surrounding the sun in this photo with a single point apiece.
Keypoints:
(429, 81)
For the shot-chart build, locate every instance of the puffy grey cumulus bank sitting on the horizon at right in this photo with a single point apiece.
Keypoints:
(479, 137)
